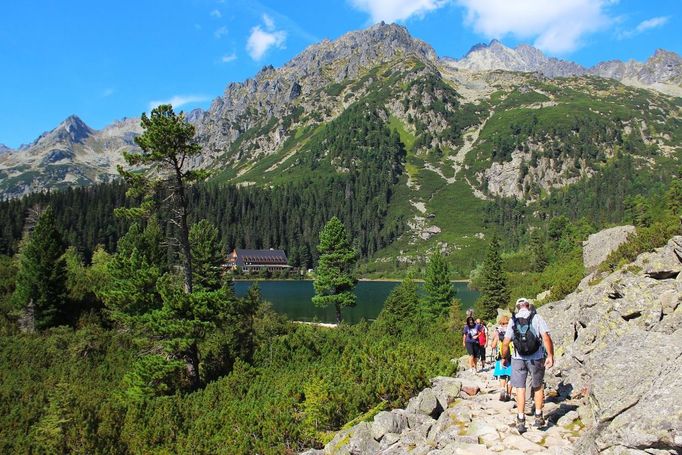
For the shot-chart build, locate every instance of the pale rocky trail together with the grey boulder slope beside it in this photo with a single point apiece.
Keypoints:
(614, 388)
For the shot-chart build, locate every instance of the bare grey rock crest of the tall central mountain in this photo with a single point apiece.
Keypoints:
(275, 93)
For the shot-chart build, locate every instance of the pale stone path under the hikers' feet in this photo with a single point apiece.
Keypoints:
(461, 416)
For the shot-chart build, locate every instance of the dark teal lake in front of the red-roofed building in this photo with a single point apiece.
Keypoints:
(293, 298)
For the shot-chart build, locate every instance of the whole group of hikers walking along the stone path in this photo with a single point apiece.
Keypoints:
(521, 348)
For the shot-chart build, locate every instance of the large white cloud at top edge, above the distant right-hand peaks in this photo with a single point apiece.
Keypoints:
(557, 26)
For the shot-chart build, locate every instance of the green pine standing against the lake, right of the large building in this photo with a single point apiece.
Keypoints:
(334, 276)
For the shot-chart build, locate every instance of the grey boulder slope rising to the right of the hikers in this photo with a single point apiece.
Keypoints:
(624, 353)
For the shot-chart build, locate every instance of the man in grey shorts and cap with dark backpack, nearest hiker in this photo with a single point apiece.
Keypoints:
(529, 333)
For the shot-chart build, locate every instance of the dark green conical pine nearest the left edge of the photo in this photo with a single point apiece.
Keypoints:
(40, 291)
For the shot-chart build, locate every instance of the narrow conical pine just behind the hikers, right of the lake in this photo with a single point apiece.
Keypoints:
(494, 289)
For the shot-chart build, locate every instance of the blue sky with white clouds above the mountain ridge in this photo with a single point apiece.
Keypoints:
(106, 60)
